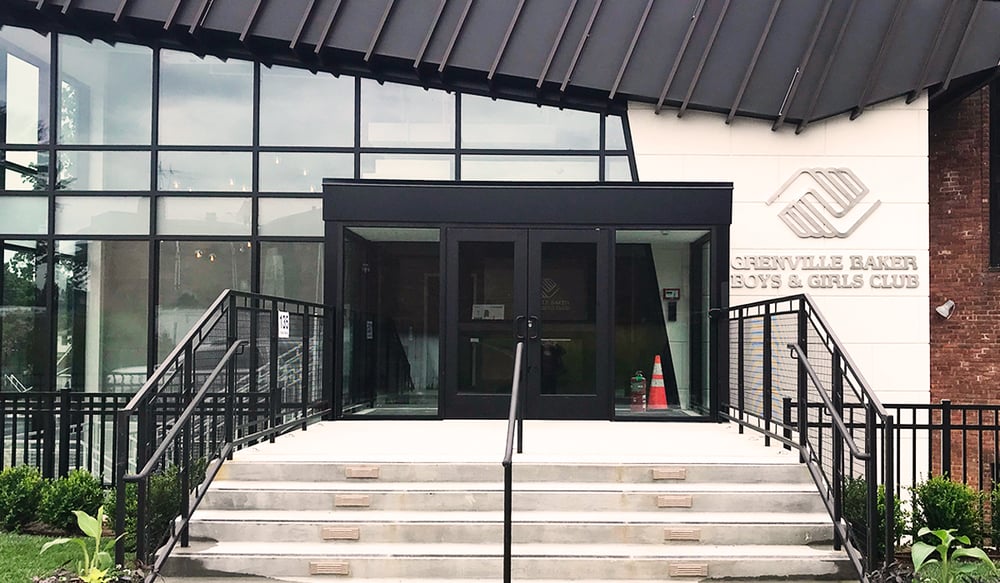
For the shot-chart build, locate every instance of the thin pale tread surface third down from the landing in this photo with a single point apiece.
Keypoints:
(520, 550)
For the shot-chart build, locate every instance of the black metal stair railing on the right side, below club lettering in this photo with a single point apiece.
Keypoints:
(792, 381)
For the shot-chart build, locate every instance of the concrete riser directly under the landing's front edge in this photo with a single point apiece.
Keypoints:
(528, 472)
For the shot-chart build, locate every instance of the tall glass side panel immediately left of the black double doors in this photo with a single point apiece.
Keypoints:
(391, 311)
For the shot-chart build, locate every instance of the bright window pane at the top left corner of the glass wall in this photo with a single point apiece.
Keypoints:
(24, 89)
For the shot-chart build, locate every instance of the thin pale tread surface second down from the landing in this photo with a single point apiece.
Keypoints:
(520, 517)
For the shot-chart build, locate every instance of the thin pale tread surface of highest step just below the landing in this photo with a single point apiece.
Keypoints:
(420, 487)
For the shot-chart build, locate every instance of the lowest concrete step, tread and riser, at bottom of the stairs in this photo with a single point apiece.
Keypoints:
(532, 561)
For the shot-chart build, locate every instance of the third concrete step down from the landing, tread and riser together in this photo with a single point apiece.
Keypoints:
(346, 527)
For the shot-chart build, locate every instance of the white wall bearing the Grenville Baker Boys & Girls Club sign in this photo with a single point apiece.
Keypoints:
(886, 331)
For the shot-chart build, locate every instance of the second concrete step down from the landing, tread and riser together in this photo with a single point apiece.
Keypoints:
(536, 496)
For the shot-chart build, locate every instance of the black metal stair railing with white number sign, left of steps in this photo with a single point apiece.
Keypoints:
(249, 369)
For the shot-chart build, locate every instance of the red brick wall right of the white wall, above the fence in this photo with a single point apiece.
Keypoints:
(965, 350)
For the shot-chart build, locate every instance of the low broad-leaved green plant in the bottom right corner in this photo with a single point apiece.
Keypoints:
(948, 566)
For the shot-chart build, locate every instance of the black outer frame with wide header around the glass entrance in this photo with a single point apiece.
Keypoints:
(440, 204)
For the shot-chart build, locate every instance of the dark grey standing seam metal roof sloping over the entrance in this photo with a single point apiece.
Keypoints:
(788, 61)
